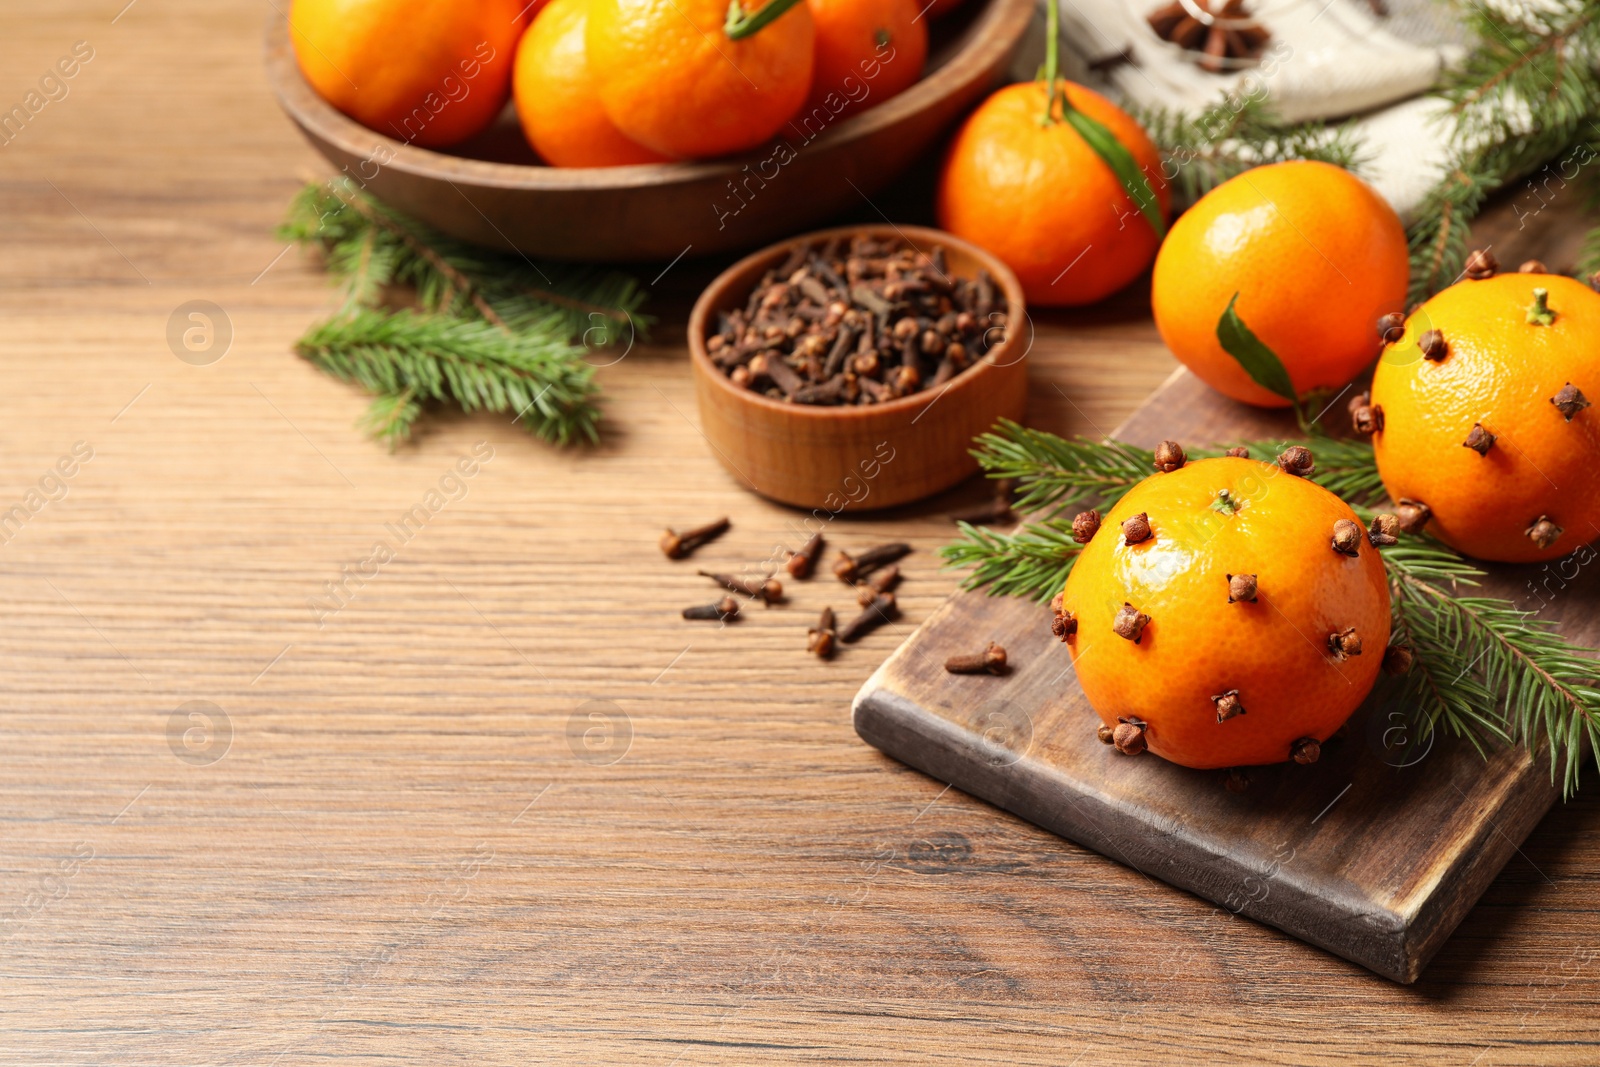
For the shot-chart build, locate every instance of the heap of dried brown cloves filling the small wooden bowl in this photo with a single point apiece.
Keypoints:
(858, 324)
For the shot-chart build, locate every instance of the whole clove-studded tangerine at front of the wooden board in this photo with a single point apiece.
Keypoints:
(1239, 589)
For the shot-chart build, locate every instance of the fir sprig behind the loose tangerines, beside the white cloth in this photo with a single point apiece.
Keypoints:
(1204, 151)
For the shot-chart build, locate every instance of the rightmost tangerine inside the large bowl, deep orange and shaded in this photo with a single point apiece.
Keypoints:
(866, 52)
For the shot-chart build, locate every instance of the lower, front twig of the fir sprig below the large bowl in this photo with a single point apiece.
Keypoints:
(407, 358)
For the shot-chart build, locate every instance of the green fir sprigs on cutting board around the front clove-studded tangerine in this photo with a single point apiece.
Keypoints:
(1484, 669)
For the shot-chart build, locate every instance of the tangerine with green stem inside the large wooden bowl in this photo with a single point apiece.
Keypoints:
(671, 79)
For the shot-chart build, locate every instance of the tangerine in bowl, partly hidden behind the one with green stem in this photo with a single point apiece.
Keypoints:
(556, 100)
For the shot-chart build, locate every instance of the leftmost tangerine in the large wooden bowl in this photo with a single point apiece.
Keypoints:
(428, 73)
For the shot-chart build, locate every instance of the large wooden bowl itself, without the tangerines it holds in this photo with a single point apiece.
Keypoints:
(492, 191)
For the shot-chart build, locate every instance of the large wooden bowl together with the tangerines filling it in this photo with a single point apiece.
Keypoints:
(615, 130)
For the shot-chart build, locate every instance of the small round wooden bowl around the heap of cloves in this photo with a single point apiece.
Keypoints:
(858, 458)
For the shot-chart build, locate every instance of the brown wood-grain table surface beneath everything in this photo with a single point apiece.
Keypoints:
(396, 845)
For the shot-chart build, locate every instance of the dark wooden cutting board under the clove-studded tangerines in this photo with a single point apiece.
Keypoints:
(1375, 853)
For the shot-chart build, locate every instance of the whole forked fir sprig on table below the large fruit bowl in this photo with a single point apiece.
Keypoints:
(492, 332)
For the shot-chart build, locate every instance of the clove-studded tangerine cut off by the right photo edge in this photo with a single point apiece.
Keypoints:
(1495, 436)
